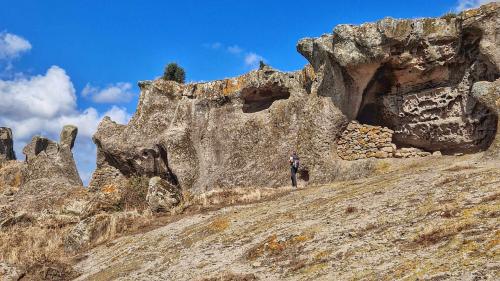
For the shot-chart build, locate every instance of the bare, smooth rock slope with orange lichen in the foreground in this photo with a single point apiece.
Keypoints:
(421, 219)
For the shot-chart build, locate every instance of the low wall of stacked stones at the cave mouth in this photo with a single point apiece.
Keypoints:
(360, 141)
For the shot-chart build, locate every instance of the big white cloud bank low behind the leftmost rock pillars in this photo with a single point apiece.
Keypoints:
(43, 104)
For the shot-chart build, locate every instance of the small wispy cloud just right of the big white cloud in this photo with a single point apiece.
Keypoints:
(117, 93)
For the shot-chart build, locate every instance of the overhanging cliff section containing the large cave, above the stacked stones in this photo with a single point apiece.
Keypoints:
(413, 76)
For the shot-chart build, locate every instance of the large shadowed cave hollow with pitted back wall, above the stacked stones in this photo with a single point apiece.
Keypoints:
(427, 110)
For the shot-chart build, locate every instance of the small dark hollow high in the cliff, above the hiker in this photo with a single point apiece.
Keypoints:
(258, 99)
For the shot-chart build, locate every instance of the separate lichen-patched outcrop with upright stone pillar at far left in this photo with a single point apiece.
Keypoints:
(48, 174)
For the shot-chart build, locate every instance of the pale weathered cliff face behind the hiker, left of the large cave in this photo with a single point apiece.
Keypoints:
(226, 133)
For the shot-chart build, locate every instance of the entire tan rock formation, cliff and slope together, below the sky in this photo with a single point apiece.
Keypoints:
(392, 91)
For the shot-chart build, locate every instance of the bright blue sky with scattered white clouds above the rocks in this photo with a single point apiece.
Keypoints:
(84, 58)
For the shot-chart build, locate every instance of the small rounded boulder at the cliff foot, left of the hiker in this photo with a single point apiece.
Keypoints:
(162, 196)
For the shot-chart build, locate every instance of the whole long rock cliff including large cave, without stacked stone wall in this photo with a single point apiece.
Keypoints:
(412, 76)
